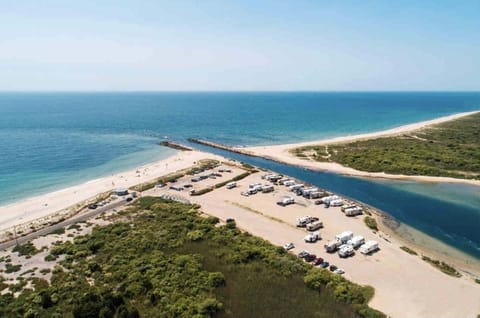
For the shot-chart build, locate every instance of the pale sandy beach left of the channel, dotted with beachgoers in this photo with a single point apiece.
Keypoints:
(41, 206)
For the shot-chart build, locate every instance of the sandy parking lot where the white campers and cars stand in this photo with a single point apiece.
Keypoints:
(405, 286)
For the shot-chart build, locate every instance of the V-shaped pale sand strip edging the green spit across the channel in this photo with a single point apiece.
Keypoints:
(281, 153)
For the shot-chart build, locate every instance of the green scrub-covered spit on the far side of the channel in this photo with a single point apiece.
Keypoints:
(450, 149)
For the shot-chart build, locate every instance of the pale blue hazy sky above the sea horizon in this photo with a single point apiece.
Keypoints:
(239, 45)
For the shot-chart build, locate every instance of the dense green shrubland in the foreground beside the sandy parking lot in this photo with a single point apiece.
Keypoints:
(164, 259)
